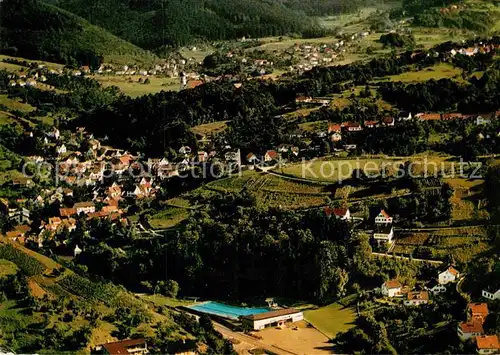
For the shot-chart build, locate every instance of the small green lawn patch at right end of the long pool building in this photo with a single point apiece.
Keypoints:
(331, 319)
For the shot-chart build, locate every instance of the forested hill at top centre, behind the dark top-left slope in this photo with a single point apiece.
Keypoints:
(152, 24)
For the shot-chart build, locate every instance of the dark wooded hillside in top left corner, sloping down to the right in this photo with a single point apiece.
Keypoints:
(37, 30)
